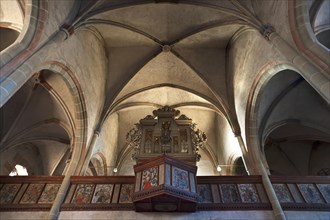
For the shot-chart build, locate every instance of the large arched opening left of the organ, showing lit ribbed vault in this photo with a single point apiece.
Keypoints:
(35, 129)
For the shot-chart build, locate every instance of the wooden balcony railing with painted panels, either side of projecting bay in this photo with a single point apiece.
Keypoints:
(115, 193)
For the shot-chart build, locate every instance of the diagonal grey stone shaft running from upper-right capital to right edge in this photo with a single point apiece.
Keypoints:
(320, 81)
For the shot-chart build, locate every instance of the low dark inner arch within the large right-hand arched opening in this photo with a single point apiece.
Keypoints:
(304, 152)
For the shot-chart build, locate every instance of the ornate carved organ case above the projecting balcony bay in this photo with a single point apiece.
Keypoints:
(166, 132)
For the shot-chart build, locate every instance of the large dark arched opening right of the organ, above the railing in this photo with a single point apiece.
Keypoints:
(294, 126)
